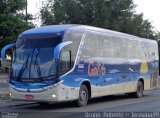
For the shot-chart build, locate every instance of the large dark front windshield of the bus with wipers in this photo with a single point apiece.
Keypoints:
(33, 58)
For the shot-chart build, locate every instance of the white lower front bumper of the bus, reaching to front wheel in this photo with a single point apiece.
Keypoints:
(50, 93)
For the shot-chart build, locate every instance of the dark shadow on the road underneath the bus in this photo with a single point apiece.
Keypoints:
(64, 105)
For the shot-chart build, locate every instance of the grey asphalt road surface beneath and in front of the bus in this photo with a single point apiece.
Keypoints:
(98, 107)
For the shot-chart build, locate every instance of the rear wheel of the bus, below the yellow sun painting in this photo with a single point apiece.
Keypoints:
(139, 90)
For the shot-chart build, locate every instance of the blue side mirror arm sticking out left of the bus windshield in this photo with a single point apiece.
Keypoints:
(5, 48)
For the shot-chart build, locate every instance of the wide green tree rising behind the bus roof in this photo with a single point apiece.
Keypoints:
(116, 15)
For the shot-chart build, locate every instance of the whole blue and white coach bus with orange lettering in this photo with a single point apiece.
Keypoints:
(77, 62)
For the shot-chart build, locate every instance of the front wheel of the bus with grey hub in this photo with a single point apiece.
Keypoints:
(83, 96)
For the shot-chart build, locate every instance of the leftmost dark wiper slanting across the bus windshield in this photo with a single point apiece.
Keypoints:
(25, 64)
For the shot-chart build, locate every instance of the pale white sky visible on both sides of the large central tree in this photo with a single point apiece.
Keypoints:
(150, 9)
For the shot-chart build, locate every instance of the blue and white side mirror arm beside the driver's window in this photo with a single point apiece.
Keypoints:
(58, 49)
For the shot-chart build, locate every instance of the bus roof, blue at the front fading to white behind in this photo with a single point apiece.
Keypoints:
(53, 30)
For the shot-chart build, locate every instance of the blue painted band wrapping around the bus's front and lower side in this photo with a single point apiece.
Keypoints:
(115, 74)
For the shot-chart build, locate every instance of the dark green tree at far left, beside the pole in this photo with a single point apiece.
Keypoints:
(12, 20)
